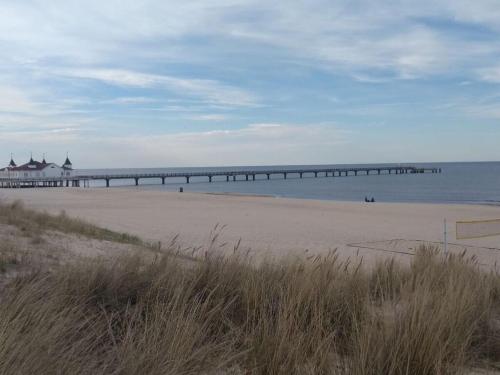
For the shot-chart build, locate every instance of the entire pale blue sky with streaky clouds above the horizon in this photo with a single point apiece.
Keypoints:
(248, 82)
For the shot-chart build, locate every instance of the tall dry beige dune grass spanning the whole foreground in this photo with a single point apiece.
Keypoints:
(226, 315)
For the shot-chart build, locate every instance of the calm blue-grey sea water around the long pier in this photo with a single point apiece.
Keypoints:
(477, 183)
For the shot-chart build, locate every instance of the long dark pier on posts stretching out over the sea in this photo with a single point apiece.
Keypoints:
(234, 175)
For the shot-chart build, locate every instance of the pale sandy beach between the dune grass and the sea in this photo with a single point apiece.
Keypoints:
(271, 225)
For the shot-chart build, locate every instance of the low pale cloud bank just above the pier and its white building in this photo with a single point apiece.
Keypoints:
(250, 145)
